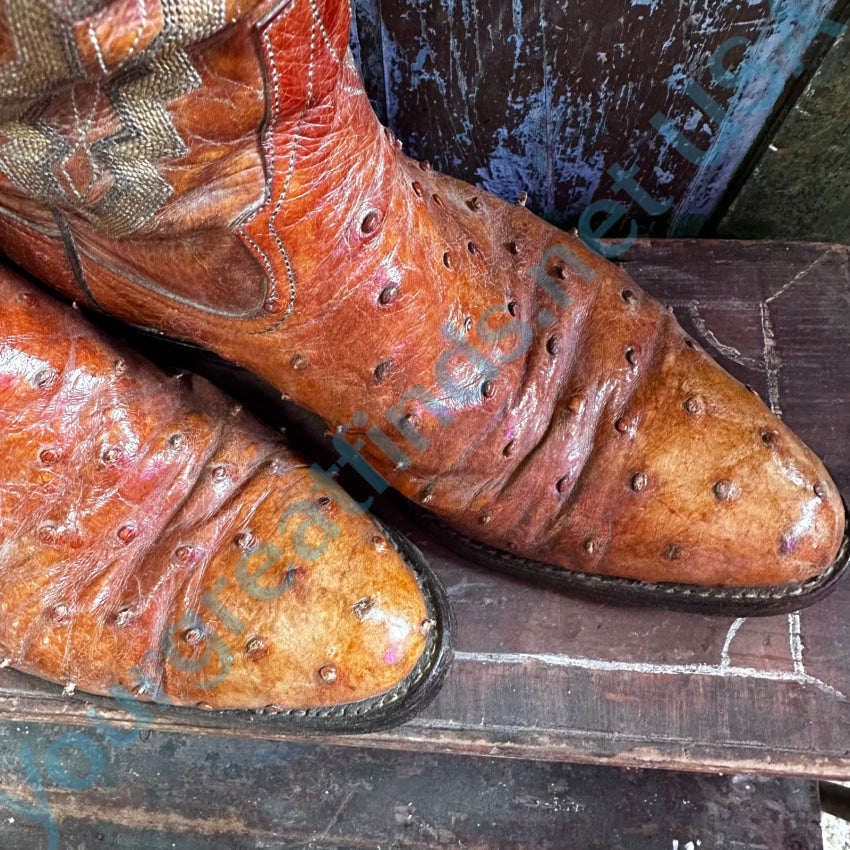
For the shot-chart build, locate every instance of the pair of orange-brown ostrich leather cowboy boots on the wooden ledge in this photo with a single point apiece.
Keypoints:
(212, 170)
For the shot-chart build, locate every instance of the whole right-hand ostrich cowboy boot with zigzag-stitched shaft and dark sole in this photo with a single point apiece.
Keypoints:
(213, 170)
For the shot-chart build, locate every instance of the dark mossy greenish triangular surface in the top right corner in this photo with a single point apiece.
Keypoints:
(801, 187)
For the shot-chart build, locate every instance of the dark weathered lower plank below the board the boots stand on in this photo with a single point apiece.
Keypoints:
(220, 793)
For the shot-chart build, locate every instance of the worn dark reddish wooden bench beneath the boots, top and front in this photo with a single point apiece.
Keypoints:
(541, 676)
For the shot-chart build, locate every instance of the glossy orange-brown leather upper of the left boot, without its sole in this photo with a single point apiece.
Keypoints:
(126, 495)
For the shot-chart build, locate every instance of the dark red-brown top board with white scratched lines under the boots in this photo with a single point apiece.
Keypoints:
(545, 676)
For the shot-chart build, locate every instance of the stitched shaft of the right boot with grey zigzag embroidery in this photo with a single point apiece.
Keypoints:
(199, 137)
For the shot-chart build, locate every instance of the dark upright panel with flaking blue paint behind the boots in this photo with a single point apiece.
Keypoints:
(543, 96)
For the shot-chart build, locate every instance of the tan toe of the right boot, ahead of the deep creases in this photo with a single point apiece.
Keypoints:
(715, 490)
